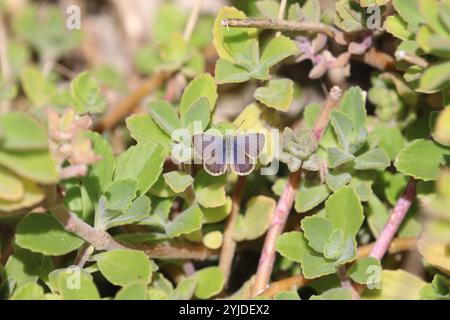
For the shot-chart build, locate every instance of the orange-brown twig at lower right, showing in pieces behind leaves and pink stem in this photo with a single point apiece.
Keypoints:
(397, 245)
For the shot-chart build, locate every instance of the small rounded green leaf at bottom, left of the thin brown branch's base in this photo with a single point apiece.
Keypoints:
(210, 281)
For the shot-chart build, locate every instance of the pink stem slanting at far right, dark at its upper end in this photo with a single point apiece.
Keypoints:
(396, 218)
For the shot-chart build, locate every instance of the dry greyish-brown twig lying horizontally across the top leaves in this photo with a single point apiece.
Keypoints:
(280, 25)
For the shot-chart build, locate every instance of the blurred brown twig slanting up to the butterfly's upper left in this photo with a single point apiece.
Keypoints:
(130, 103)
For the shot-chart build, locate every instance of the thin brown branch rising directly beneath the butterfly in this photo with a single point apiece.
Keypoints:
(229, 245)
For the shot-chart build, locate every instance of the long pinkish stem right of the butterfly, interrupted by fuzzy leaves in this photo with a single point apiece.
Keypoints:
(286, 201)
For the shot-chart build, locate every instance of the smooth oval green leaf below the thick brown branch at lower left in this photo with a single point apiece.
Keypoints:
(124, 266)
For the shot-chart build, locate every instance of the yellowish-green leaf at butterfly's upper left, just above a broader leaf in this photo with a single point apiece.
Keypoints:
(144, 129)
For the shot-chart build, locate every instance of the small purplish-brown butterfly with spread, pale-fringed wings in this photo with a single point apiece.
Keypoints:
(220, 153)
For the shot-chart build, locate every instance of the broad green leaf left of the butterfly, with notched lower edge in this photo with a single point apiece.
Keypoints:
(142, 162)
